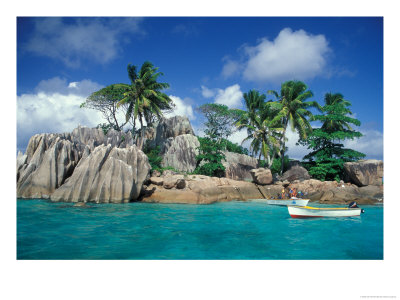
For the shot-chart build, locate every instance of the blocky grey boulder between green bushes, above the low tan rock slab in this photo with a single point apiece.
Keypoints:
(180, 152)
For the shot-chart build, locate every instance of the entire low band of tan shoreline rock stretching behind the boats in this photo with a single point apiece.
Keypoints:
(201, 189)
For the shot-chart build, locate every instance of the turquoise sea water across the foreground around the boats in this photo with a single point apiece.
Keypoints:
(232, 230)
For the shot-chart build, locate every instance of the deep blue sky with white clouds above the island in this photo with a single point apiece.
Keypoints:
(61, 61)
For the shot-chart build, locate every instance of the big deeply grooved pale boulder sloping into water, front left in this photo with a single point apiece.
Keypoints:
(106, 175)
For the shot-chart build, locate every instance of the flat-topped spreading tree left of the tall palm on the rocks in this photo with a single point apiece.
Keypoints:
(106, 101)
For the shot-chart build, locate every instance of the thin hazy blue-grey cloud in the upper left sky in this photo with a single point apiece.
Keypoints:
(72, 39)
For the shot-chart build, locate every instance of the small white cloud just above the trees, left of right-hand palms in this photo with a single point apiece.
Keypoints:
(231, 96)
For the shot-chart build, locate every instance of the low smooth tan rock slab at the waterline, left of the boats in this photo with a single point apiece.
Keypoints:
(201, 189)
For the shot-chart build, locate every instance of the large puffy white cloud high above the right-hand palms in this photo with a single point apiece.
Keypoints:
(291, 55)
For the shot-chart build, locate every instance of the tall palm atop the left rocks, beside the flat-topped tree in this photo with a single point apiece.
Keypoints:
(144, 98)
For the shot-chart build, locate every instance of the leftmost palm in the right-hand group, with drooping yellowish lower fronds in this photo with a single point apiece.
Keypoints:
(263, 133)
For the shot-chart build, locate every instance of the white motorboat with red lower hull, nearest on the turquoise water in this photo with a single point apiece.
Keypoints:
(319, 212)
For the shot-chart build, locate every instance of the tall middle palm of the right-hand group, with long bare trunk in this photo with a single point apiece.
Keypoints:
(293, 109)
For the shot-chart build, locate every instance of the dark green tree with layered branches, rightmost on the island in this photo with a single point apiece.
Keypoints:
(325, 161)
